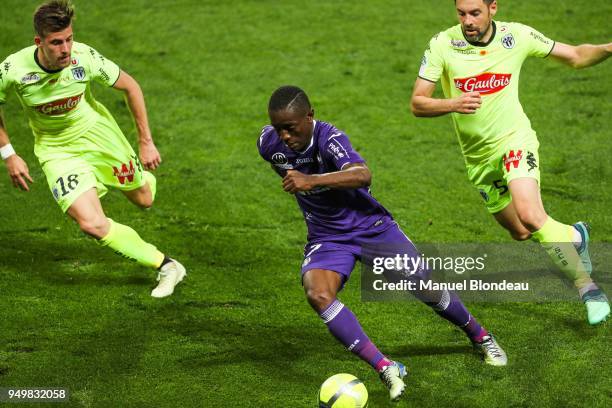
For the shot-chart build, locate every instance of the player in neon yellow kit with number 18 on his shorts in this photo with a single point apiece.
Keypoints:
(78, 143)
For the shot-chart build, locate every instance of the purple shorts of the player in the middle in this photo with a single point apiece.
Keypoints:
(340, 253)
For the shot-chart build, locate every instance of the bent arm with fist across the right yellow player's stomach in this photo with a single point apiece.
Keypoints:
(422, 104)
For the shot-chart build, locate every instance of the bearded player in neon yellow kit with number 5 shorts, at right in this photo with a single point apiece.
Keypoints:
(478, 63)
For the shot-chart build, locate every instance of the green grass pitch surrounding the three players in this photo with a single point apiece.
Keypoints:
(238, 332)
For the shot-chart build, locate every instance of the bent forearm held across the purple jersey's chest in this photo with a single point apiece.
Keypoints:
(355, 175)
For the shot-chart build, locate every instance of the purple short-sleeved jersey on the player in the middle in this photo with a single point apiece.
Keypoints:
(327, 212)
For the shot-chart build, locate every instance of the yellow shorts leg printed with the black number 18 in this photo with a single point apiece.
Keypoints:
(69, 176)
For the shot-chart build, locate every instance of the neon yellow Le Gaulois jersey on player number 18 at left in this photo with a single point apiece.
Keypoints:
(59, 104)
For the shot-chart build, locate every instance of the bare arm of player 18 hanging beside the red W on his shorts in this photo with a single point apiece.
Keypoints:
(149, 156)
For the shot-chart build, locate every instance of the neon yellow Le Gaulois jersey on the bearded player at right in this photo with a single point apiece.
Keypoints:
(493, 69)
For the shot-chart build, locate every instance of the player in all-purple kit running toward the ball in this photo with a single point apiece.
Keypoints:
(330, 181)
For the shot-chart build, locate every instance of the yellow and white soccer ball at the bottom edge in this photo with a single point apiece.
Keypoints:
(343, 391)
